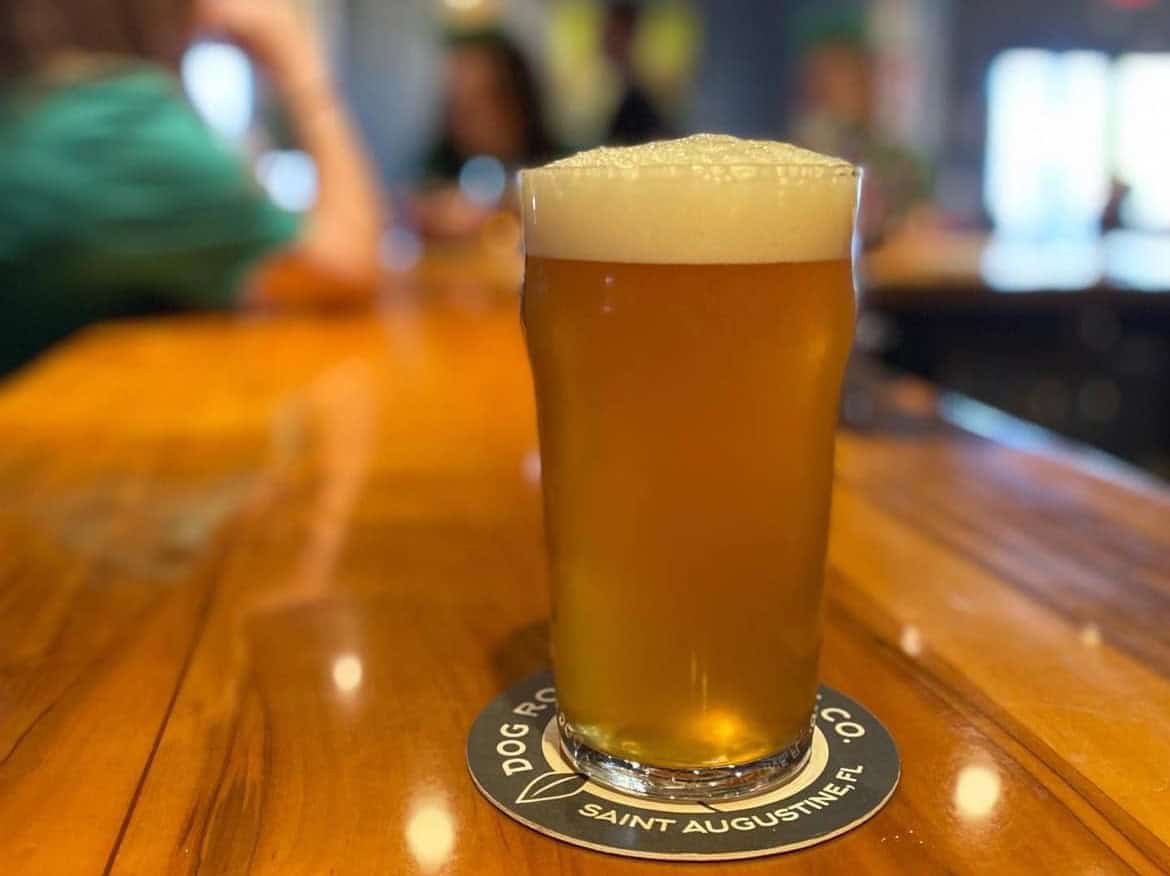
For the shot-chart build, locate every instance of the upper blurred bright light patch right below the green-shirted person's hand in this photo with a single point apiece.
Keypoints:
(218, 81)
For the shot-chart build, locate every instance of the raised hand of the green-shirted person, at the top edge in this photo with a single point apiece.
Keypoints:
(273, 33)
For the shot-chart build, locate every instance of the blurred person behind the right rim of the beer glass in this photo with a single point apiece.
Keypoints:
(837, 116)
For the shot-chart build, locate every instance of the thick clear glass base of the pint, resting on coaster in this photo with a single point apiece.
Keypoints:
(705, 784)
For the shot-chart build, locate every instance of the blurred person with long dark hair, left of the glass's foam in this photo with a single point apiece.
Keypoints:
(492, 109)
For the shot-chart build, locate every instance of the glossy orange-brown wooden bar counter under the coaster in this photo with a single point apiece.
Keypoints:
(259, 576)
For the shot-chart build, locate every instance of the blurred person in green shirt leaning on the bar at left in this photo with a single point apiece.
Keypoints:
(115, 197)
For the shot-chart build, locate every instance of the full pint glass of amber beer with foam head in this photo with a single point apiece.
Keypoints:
(689, 311)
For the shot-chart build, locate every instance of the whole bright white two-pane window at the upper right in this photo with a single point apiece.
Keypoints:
(1063, 127)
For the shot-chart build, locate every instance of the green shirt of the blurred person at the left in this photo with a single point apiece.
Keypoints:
(116, 201)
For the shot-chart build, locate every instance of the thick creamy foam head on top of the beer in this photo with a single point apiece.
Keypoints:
(707, 199)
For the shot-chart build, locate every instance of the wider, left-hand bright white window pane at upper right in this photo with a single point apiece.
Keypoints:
(1048, 173)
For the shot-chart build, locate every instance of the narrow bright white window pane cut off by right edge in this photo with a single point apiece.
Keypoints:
(1143, 139)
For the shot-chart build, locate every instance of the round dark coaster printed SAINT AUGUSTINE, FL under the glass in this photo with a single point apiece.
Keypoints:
(515, 761)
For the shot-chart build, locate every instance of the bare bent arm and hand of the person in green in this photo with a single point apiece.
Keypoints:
(335, 259)
